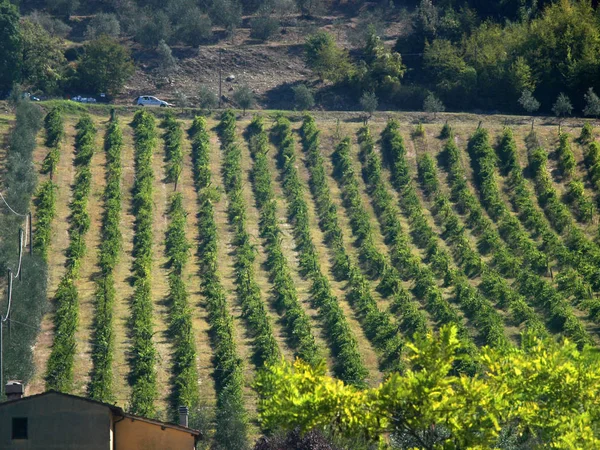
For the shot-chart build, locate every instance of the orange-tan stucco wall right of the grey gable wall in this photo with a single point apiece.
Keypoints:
(138, 435)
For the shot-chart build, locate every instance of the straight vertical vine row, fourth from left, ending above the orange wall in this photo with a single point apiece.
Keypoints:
(143, 360)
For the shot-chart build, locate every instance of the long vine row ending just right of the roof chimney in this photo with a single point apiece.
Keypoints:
(228, 365)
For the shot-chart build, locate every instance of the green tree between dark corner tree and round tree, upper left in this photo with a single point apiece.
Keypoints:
(43, 63)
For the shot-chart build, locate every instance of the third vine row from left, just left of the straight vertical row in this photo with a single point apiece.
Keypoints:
(100, 387)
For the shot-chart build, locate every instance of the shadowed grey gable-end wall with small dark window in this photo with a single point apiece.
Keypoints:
(57, 422)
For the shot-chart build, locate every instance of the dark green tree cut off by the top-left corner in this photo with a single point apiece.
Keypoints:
(10, 49)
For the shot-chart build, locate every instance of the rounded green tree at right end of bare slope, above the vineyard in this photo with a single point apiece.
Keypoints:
(325, 58)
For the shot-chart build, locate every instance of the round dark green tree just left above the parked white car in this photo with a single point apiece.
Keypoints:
(105, 66)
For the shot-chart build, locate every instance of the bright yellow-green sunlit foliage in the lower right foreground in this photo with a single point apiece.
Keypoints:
(544, 394)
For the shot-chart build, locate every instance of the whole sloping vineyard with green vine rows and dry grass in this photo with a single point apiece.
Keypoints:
(185, 254)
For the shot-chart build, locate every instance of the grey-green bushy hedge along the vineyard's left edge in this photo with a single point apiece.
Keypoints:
(29, 296)
